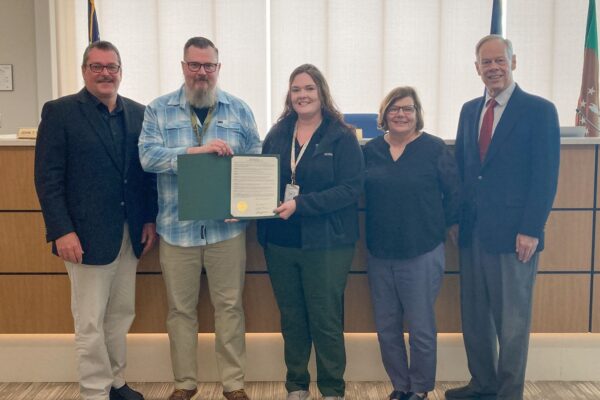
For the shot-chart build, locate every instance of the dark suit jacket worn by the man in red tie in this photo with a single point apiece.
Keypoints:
(512, 192)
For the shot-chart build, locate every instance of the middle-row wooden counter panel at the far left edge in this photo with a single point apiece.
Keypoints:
(23, 246)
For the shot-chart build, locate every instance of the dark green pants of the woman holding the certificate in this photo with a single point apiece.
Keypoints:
(309, 288)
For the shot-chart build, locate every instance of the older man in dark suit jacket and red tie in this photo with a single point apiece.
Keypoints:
(507, 149)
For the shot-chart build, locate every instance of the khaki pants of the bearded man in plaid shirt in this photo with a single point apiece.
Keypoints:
(225, 265)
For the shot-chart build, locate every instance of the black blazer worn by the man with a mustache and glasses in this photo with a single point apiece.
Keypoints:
(81, 186)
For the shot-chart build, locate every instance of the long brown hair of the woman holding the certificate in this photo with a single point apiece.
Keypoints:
(328, 107)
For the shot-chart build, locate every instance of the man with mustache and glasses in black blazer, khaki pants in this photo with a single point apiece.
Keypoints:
(99, 207)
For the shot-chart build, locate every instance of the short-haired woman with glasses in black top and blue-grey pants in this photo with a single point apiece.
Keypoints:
(411, 191)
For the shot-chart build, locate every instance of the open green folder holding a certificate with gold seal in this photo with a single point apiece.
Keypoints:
(206, 190)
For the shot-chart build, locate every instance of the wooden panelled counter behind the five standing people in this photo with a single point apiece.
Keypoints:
(35, 287)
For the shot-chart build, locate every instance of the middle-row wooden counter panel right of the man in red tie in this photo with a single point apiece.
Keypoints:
(568, 241)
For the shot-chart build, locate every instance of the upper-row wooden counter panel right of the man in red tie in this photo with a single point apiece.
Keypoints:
(576, 177)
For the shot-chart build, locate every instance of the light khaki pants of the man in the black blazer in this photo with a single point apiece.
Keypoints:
(103, 307)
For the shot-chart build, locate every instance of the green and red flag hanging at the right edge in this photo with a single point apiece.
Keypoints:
(587, 106)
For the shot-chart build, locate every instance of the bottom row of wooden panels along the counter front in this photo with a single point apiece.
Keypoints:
(561, 305)
